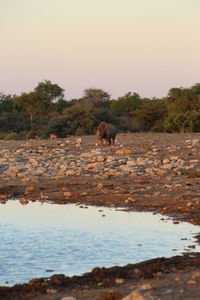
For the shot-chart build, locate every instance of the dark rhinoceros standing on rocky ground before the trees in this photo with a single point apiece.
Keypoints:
(106, 131)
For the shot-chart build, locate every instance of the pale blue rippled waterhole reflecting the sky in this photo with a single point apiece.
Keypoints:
(41, 239)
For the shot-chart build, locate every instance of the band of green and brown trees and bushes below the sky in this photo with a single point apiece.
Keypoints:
(45, 110)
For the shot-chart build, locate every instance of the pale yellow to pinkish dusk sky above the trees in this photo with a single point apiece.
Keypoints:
(143, 46)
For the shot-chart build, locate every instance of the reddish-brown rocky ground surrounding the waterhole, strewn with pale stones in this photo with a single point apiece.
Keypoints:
(154, 172)
